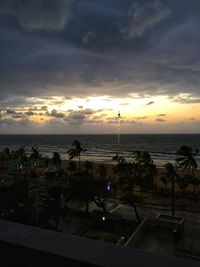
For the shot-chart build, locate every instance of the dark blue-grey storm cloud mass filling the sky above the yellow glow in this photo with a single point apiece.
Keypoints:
(70, 48)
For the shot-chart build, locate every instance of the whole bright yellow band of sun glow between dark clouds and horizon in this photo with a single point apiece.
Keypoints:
(155, 112)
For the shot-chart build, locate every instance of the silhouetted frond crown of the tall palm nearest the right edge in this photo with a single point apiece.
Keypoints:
(186, 158)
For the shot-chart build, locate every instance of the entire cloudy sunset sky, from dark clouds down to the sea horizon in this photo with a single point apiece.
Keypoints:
(70, 66)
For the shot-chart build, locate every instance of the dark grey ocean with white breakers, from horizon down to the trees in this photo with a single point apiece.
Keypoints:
(102, 148)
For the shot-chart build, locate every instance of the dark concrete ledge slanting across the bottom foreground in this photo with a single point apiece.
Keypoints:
(79, 250)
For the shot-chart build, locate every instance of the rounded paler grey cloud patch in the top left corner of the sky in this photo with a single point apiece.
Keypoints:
(32, 15)
